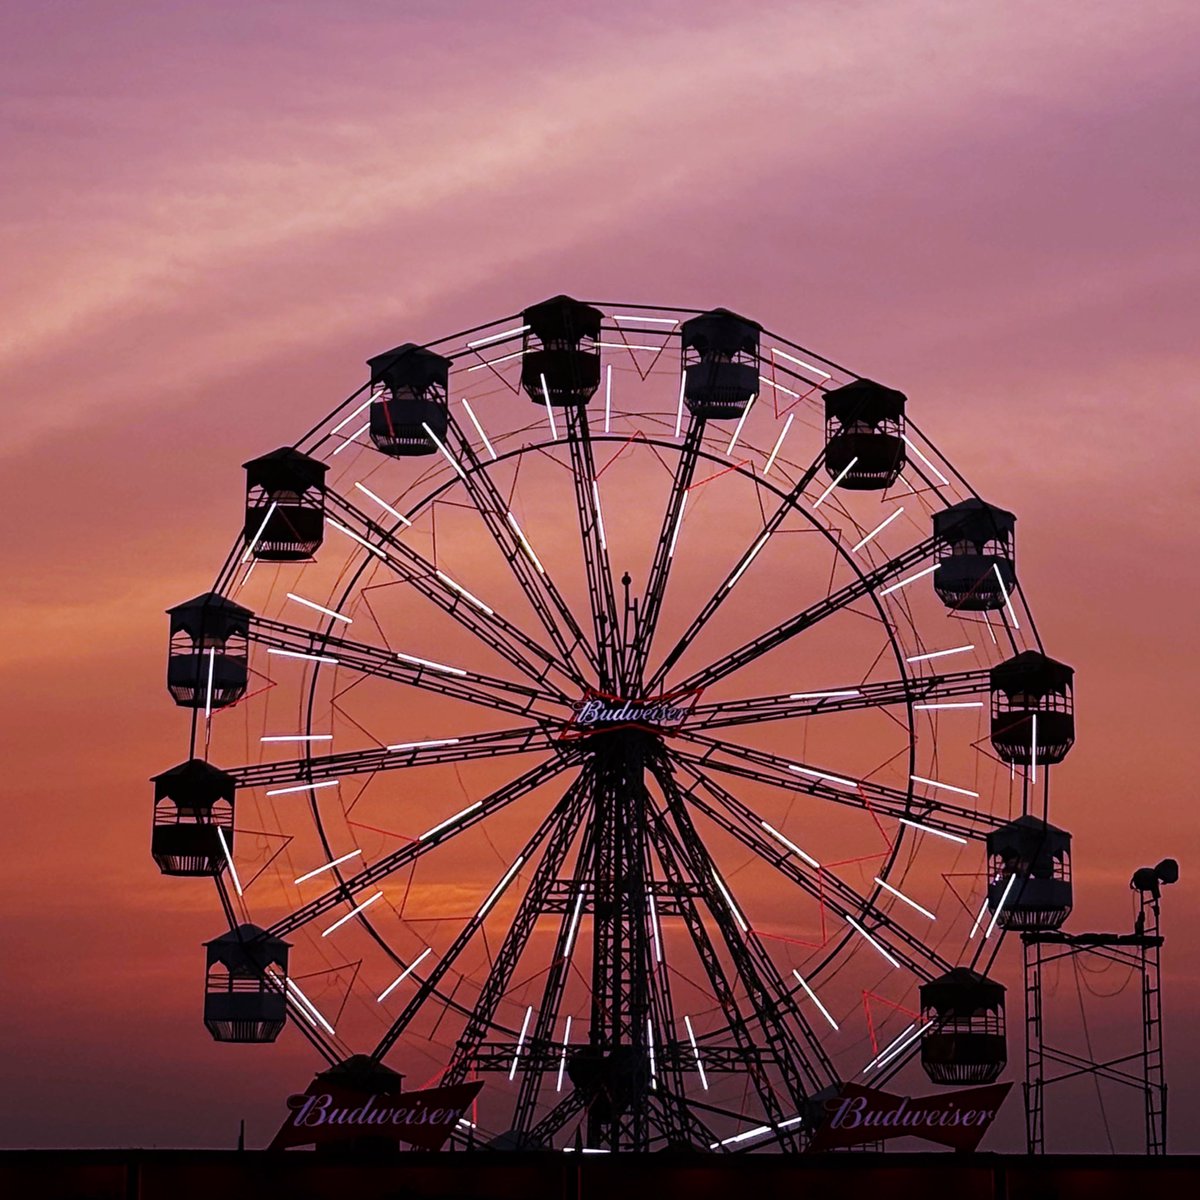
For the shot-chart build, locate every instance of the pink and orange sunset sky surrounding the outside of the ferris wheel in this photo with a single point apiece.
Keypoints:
(214, 213)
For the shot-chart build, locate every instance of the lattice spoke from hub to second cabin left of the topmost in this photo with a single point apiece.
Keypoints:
(469, 610)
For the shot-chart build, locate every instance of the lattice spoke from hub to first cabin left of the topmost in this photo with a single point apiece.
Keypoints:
(527, 568)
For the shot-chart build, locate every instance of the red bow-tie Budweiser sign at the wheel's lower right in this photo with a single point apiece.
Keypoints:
(861, 1115)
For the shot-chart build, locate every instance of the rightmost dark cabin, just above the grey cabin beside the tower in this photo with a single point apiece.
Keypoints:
(1033, 710)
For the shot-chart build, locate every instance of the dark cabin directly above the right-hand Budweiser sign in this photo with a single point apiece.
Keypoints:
(967, 1041)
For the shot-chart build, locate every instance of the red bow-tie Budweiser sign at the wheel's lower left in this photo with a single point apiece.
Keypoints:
(327, 1114)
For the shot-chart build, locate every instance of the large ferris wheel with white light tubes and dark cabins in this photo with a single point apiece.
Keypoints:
(629, 707)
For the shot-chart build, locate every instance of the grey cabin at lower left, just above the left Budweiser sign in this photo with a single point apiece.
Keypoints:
(244, 986)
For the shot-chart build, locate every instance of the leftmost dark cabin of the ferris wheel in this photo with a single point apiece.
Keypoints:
(193, 815)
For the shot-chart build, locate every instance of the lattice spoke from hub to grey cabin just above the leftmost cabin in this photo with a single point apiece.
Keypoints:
(488, 692)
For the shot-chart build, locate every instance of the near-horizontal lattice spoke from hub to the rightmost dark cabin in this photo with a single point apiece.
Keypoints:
(921, 691)
